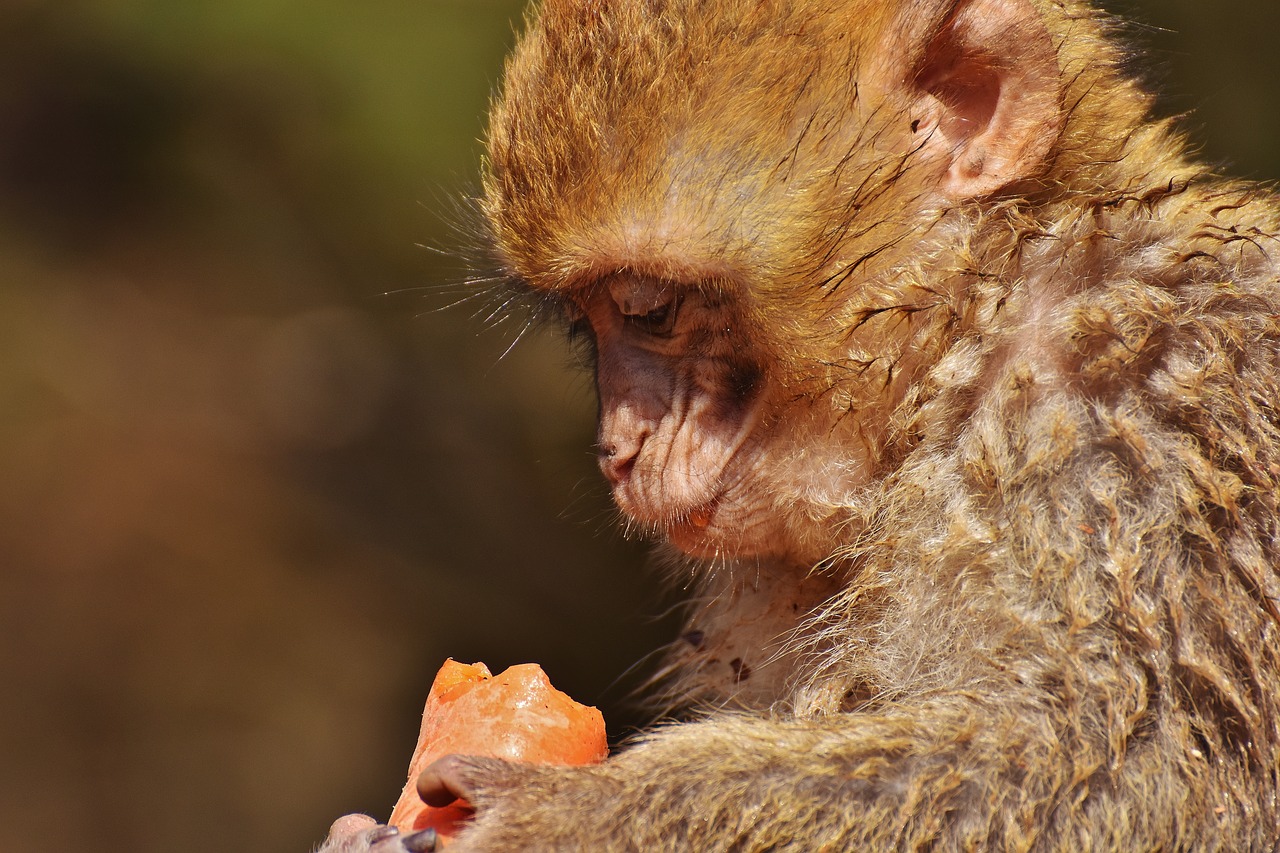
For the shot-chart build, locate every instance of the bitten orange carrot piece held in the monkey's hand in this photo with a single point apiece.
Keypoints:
(516, 715)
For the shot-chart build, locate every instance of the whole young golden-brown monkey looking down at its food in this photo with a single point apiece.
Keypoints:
(957, 385)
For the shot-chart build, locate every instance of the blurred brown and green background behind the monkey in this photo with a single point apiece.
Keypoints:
(263, 466)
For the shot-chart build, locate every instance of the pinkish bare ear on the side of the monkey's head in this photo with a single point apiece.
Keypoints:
(988, 95)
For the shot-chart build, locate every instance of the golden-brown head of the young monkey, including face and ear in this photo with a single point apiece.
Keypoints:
(737, 203)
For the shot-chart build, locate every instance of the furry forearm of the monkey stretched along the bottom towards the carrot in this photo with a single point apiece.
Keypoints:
(957, 770)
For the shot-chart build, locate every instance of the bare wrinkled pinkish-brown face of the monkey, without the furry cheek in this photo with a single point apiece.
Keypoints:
(679, 404)
